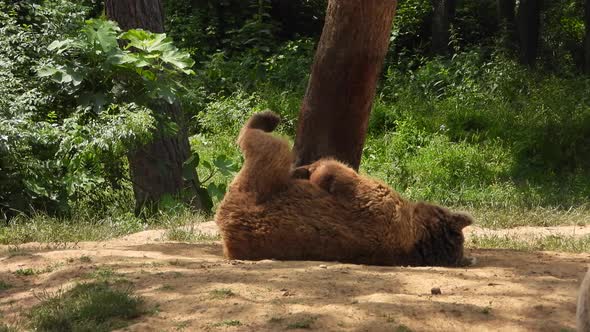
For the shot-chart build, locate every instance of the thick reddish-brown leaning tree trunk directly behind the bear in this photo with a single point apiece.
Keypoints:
(335, 112)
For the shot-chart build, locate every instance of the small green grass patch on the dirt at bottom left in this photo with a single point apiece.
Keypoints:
(95, 306)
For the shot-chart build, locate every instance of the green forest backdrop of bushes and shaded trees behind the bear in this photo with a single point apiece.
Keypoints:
(482, 104)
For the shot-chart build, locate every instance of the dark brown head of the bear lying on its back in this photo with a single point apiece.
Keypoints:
(442, 241)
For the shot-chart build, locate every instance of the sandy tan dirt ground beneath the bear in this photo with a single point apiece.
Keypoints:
(505, 291)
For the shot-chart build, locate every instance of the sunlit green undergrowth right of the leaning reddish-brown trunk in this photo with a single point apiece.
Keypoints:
(482, 130)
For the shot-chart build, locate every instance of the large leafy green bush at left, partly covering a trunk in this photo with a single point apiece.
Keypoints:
(65, 134)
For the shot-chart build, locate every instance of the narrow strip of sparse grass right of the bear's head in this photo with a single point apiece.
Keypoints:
(548, 243)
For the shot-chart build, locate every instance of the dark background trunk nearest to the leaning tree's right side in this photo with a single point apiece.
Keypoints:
(443, 12)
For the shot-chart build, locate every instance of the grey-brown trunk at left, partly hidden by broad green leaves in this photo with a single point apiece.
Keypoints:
(157, 167)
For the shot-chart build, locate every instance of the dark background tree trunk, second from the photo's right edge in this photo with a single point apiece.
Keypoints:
(529, 12)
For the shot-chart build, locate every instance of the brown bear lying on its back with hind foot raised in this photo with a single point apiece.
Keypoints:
(326, 211)
